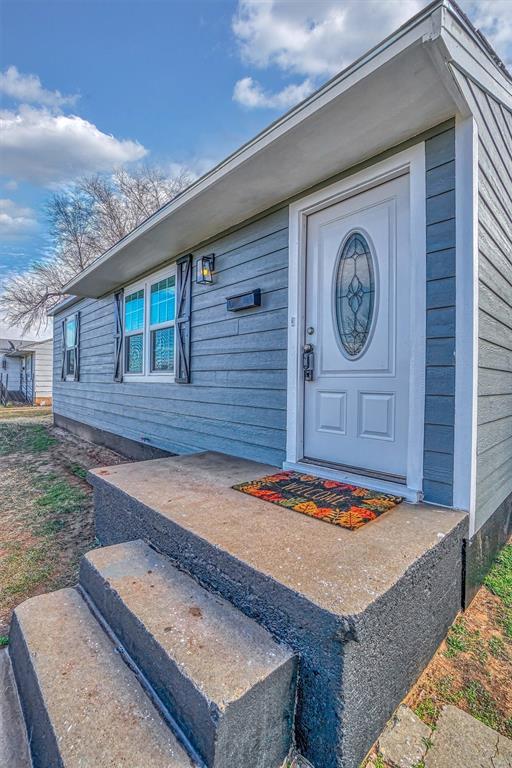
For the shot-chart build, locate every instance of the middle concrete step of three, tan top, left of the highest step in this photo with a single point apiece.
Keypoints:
(83, 706)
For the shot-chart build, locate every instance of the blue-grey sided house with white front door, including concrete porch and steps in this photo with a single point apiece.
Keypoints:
(333, 298)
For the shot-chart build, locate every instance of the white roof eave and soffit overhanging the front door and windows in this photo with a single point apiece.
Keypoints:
(439, 31)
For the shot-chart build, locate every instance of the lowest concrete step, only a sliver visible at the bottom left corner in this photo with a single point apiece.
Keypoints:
(14, 751)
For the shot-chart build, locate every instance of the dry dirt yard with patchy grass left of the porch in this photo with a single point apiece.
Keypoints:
(46, 520)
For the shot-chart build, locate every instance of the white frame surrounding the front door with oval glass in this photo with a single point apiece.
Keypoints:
(412, 162)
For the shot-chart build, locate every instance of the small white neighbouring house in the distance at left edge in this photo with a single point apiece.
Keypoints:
(26, 371)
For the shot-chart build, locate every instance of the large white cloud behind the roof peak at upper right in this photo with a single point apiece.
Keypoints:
(318, 38)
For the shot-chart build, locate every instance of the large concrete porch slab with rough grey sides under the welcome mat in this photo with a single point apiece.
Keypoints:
(364, 610)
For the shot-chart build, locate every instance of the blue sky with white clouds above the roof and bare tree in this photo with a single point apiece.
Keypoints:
(90, 85)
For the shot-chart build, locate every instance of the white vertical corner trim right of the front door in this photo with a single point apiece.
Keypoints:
(466, 316)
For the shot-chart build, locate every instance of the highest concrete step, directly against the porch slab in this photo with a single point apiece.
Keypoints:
(227, 683)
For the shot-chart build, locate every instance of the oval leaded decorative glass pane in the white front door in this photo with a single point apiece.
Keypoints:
(355, 294)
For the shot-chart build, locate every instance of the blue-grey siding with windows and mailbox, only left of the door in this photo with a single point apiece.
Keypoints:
(236, 401)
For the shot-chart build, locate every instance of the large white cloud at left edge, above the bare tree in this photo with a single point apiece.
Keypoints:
(43, 147)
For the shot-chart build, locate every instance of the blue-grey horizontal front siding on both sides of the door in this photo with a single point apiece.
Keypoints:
(236, 401)
